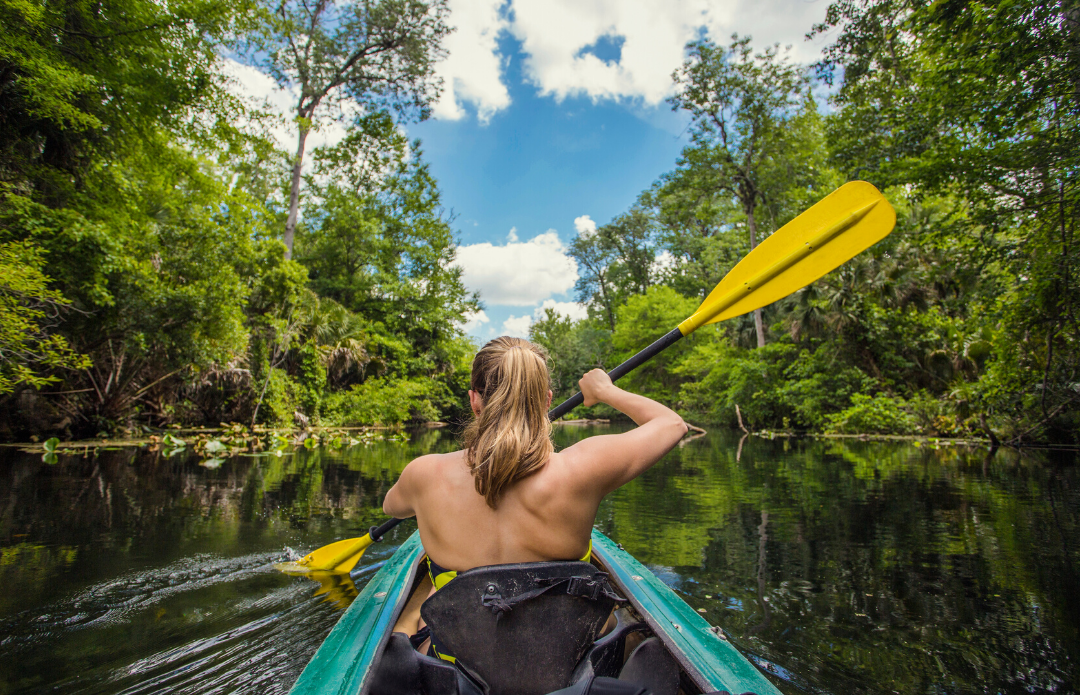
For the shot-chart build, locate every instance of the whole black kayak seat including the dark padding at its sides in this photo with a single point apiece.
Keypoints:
(545, 653)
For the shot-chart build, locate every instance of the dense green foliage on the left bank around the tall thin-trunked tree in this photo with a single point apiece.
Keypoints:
(145, 281)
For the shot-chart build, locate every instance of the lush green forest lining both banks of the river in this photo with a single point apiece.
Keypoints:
(163, 262)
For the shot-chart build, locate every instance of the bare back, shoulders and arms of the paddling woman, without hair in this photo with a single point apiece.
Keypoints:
(546, 516)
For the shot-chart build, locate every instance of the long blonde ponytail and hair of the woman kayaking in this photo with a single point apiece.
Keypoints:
(511, 438)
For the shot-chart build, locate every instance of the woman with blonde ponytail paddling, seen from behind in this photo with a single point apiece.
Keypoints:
(509, 497)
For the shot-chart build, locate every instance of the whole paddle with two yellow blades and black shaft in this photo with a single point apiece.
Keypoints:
(843, 225)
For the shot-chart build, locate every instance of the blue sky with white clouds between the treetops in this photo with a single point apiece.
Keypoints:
(553, 120)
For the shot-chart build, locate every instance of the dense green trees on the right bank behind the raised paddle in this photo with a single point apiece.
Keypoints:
(963, 322)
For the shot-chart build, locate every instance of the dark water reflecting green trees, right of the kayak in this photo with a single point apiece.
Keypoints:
(871, 567)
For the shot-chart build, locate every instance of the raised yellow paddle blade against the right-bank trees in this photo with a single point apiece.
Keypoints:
(844, 224)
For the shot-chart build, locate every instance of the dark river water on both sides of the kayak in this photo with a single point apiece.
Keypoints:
(838, 567)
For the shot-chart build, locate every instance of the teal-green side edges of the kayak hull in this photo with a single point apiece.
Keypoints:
(343, 665)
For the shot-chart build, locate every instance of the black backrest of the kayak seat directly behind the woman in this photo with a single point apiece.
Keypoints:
(521, 630)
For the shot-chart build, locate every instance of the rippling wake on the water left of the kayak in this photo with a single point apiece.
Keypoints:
(205, 624)
